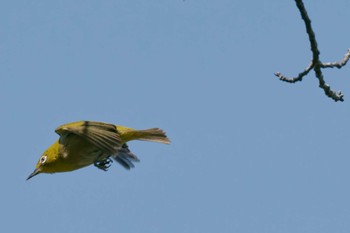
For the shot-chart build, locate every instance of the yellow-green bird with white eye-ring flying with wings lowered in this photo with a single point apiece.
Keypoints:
(84, 143)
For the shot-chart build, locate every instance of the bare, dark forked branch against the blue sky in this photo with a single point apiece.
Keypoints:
(316, 64)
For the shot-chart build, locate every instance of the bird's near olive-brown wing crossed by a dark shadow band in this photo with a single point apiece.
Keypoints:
(104, 136)
